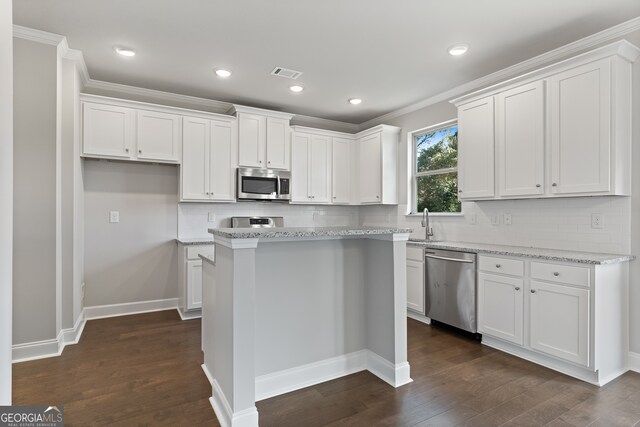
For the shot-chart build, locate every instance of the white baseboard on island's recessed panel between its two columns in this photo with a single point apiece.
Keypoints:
(307, 375)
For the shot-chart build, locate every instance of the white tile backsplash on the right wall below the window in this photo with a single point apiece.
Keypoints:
(546, 223)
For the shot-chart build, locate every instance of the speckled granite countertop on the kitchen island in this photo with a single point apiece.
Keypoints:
(251, 233)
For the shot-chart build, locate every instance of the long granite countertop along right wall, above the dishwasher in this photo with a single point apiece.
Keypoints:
(539, 253)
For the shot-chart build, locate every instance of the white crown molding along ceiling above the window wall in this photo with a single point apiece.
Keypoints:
(562, 52)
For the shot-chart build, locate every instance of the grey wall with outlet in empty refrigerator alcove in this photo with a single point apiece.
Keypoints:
(135, 259)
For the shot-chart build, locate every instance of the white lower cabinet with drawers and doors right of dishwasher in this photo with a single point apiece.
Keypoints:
(567, 316)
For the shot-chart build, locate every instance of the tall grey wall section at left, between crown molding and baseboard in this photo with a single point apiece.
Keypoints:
(35, 140)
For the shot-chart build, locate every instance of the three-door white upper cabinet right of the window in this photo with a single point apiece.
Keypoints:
(563, 130)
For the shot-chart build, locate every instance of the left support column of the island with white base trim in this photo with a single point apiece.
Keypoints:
(228, 320)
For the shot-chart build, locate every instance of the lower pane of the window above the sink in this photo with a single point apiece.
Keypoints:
(438, 193)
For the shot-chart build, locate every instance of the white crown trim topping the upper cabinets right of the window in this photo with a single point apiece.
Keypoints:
(623, 49)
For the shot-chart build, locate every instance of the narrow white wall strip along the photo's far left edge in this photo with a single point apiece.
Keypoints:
(6, 198)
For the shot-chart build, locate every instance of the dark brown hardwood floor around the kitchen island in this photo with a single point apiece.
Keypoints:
(145, 370)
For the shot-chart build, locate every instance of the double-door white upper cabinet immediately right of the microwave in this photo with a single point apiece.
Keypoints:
(311, 168)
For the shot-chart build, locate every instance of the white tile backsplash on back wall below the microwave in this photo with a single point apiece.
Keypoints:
(193, 218)
